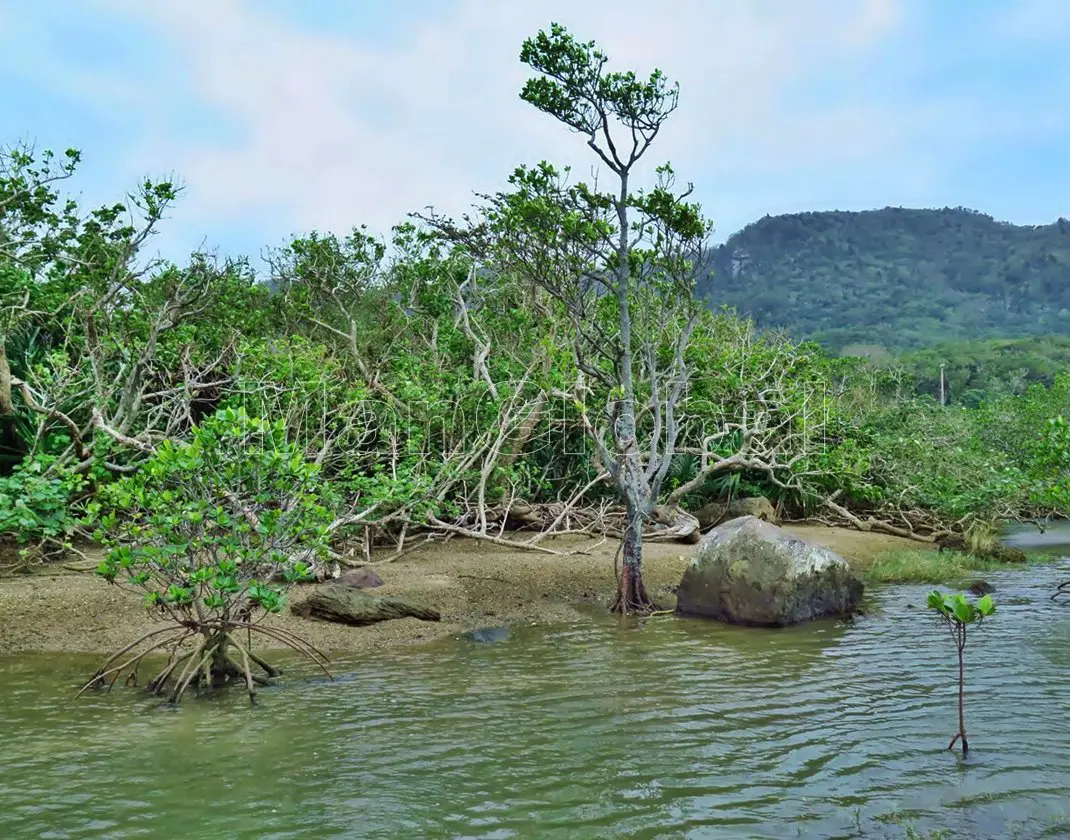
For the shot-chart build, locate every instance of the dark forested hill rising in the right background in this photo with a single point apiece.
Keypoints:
(897, 278)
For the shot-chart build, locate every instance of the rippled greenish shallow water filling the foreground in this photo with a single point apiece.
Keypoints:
(672, 729)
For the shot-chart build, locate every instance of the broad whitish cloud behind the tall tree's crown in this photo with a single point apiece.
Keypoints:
(326, 132)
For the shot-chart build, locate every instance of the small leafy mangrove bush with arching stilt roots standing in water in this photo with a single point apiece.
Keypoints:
(215, 531)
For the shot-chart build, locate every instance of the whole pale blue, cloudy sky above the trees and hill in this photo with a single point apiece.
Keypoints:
(282, 117)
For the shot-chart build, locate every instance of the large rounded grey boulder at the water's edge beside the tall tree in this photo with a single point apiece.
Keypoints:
(752, 573)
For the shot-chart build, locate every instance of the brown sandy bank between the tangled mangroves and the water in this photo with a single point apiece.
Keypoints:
(473, 585)
